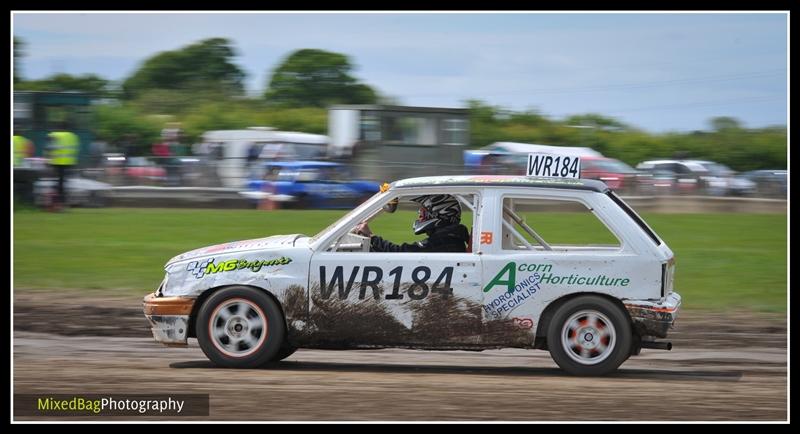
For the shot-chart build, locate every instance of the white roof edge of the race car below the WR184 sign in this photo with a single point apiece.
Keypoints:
(502, 181)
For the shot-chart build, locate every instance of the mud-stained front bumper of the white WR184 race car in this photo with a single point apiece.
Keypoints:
(169, 318)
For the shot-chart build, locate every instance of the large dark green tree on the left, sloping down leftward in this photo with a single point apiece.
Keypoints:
(203, 65)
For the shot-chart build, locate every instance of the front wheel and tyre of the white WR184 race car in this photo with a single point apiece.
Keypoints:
(240, 327)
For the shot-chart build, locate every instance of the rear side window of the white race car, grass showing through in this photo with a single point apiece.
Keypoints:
(557, 225)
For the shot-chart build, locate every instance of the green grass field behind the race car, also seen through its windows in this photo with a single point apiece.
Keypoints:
(724, 261)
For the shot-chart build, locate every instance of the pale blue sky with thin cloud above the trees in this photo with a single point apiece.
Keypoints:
(658, 72)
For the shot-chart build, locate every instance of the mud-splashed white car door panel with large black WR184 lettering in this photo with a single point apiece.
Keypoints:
(425, 300)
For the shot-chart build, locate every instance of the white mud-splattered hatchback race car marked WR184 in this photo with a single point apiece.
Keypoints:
(593, 293)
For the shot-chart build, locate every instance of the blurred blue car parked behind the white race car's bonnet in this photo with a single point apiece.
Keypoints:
(309, 184)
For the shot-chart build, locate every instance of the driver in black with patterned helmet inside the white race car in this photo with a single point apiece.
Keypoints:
(439, 218)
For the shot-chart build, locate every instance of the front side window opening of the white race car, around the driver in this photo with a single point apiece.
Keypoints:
(396, 224)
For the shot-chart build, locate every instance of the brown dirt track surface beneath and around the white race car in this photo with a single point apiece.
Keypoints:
(722, 367)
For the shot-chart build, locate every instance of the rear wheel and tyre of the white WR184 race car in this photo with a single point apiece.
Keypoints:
(589, 335)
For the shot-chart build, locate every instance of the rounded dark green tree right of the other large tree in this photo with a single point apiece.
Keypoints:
(316, 78)
